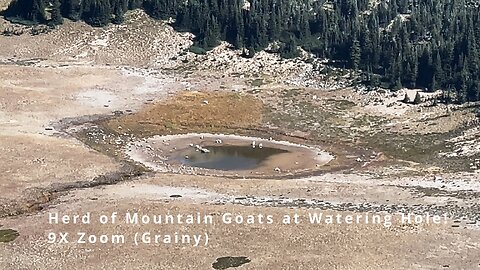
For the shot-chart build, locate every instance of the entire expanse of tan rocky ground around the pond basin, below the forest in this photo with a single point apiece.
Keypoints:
(73, 99)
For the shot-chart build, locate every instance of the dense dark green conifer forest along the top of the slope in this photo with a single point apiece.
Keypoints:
(427, 44)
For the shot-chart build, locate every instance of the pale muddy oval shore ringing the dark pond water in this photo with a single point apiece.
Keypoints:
(159, 152)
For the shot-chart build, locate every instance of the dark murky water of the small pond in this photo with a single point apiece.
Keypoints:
(227, 157)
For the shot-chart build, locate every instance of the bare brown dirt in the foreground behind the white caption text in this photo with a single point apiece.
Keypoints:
(274, 246)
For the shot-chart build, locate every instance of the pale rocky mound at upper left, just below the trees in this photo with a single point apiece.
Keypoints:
(140, 41)
